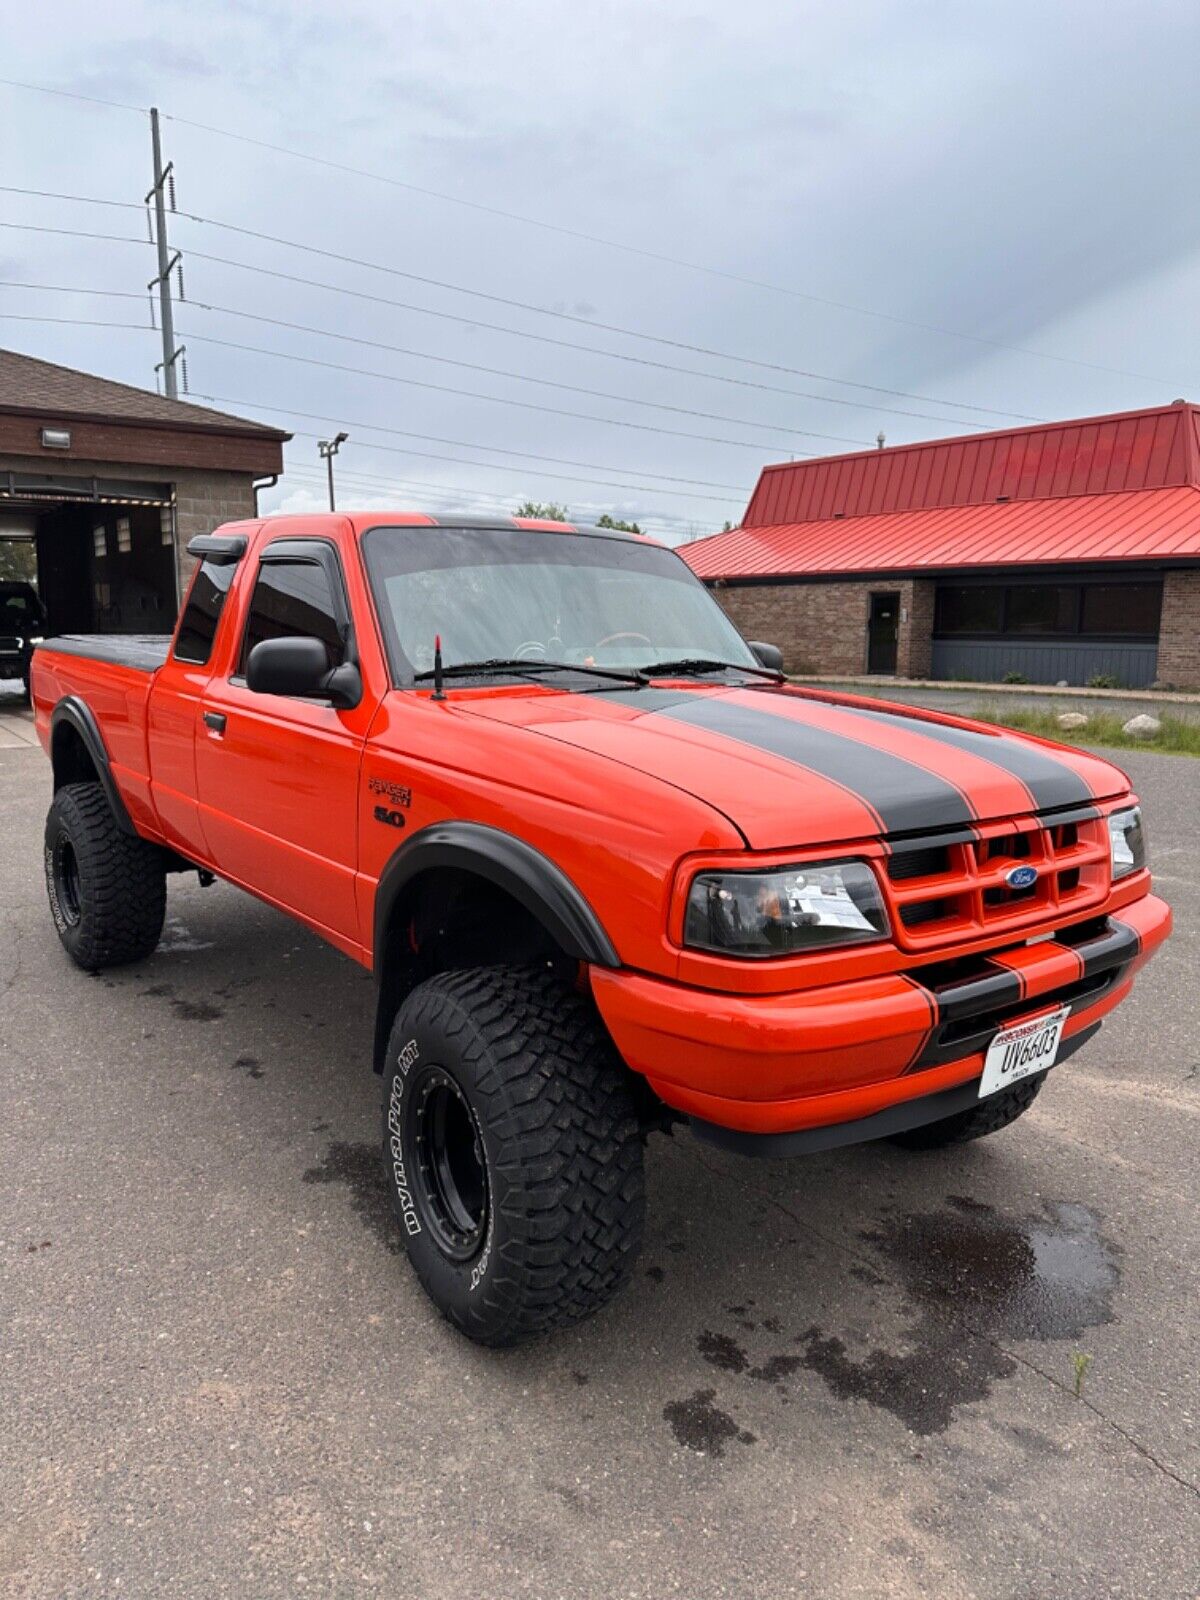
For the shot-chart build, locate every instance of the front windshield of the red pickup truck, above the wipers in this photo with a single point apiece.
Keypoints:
(518, 593)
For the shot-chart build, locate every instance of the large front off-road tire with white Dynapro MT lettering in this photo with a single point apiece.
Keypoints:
(558, 1140)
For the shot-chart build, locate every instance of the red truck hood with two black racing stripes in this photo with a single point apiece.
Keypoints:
(794, 767)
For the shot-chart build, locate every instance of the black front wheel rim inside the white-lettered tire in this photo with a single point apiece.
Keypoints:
(452, 1175)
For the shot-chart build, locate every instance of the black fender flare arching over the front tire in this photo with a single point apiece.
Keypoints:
(534, 881)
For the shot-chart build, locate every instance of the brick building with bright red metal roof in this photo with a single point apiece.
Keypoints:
(1068, 551)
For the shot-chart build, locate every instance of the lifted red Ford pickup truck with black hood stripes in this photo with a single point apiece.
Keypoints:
(610, 871)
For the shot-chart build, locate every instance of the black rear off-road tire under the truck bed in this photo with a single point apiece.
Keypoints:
(111, 908)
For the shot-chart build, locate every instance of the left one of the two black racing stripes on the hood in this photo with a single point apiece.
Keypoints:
(902, 794)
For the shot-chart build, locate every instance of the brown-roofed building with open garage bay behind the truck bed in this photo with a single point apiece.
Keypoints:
(111, 482)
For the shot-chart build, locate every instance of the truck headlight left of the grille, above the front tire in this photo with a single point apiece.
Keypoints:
(785, 911)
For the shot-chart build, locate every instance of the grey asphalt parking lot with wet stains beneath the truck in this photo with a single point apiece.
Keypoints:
(852, 1375)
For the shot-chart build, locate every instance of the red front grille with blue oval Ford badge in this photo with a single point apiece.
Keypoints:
(959, 889)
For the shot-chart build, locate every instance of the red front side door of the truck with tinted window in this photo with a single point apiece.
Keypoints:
(279, 777)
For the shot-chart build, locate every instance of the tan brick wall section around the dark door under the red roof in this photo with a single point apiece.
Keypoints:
(823, 628)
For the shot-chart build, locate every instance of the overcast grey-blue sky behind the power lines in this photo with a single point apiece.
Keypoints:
(958, 178)
